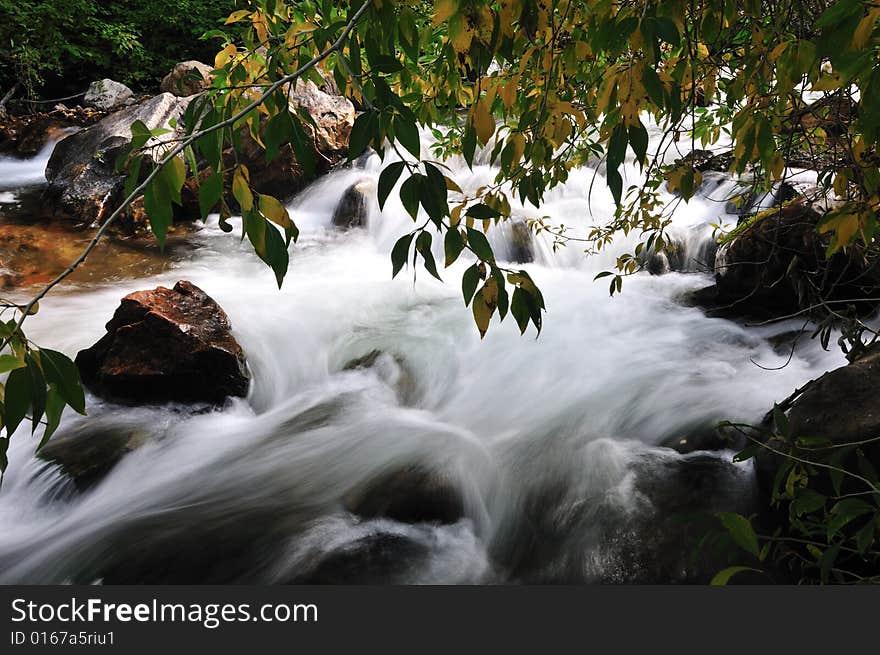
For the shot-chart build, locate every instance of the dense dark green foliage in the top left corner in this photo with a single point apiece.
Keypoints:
(56, 47)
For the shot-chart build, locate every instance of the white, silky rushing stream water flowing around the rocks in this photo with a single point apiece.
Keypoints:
(552, 442)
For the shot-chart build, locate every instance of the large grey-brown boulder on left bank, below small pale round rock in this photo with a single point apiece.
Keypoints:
(83, 185)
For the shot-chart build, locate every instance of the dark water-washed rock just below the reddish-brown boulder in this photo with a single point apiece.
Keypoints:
(89, 451)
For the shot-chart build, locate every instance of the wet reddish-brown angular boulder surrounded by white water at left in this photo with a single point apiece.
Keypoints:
(166, 345)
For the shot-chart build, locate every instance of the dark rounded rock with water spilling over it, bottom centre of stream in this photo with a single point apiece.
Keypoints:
(409, 495)
